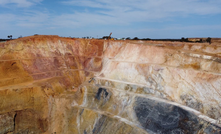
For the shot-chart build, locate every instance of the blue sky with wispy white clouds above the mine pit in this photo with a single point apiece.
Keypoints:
(124, 18)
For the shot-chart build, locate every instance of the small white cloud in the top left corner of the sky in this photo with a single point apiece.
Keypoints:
(19, 3)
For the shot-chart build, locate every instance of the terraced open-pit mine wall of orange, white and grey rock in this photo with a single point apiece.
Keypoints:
(55, 85)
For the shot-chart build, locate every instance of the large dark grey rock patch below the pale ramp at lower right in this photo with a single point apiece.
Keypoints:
(160, 117)
